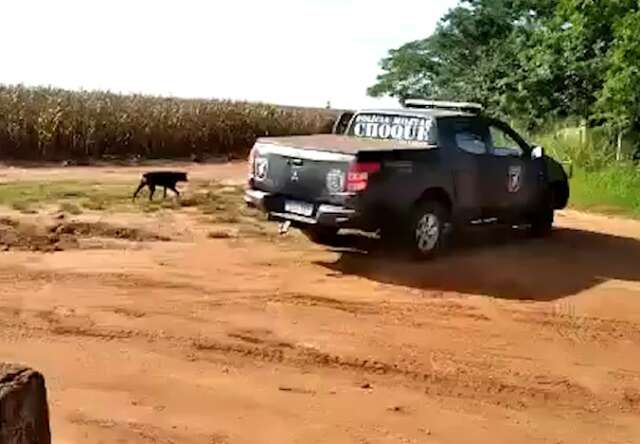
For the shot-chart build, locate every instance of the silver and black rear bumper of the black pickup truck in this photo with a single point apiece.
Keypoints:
(324, 214)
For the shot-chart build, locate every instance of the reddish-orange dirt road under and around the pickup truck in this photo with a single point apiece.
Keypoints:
(276, 340)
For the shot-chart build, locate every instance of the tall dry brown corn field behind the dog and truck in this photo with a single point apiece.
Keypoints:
(55, 124)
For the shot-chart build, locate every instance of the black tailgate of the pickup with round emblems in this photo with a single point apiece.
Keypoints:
(305, 174)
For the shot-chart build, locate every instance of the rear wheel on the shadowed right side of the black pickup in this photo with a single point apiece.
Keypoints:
(427, 230)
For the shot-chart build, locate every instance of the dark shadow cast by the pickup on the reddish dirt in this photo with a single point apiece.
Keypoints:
(501, 263)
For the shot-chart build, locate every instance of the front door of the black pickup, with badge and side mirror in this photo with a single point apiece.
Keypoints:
(519, 179)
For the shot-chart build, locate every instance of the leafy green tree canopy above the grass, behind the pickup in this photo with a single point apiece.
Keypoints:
(531, 59)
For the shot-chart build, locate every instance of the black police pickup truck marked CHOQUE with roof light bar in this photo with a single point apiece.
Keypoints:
(413, 173)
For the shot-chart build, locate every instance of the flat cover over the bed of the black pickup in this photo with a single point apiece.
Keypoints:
(341, 144)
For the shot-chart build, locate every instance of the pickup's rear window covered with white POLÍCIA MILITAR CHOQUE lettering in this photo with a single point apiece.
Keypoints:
(410, 129)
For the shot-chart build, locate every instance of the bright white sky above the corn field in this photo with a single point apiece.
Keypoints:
(290, 52)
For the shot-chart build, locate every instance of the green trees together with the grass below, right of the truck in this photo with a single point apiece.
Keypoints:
(565, 72)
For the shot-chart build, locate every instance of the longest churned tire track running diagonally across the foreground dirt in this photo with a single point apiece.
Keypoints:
(465, 383)
